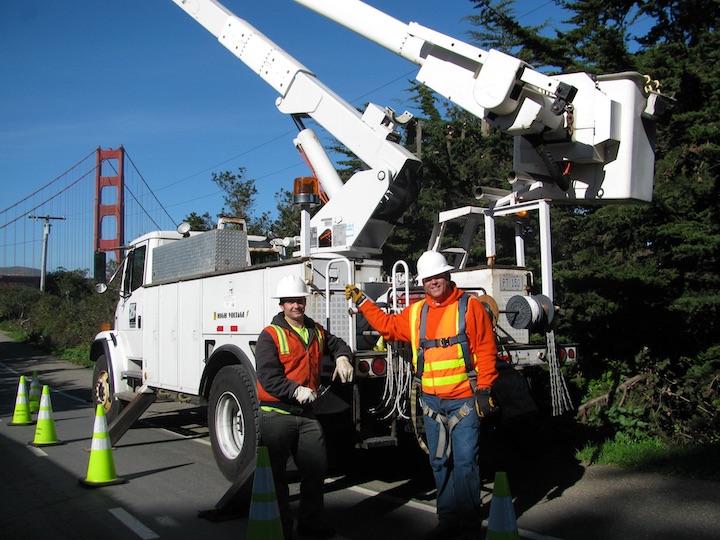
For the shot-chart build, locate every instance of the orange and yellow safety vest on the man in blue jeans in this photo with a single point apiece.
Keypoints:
(444, 363)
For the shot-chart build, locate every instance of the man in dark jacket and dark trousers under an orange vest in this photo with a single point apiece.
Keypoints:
(288, 359)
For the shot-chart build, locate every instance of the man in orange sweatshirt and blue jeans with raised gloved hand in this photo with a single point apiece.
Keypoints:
(454, 354)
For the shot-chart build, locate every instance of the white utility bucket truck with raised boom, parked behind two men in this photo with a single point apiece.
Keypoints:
(192, 304)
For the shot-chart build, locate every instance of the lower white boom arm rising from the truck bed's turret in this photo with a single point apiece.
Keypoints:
(359, 215)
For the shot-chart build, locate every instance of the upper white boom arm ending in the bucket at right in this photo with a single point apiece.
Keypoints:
(577, 137)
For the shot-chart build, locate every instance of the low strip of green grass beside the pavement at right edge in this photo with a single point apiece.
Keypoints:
(654, 455)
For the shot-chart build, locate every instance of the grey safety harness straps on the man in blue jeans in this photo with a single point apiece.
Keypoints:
(446, 423)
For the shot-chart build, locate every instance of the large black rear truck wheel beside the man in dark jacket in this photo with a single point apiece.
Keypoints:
(233, 420)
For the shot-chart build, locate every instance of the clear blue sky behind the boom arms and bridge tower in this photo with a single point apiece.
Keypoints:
(141, 73)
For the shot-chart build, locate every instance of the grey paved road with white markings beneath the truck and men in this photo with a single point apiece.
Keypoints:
(382, 495)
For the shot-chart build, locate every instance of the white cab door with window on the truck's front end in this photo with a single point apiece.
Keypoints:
(130, 322)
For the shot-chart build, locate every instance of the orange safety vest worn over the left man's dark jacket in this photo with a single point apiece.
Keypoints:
(301, 361)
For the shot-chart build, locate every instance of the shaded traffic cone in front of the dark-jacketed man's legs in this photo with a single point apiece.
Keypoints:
(264, 520)
